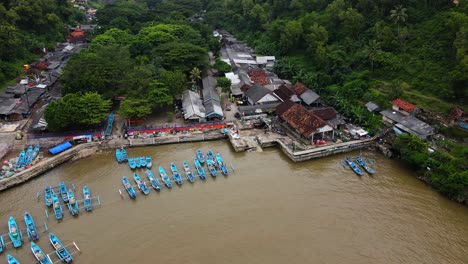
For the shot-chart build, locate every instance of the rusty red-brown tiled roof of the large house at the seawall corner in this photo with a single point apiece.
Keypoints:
(299, 118)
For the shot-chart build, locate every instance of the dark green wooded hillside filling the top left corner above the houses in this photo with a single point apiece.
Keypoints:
(28, 27)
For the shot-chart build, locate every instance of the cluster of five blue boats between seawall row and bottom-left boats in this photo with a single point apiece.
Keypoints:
(51, 199)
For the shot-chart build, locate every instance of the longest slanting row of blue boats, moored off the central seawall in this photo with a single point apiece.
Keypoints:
(213, 162)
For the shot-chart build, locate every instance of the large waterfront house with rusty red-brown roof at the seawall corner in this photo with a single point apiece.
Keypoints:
(308, 126)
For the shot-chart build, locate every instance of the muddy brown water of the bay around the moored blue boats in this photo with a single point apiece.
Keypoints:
(269, 211)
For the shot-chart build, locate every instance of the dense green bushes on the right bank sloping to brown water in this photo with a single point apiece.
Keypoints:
(444, 168)
